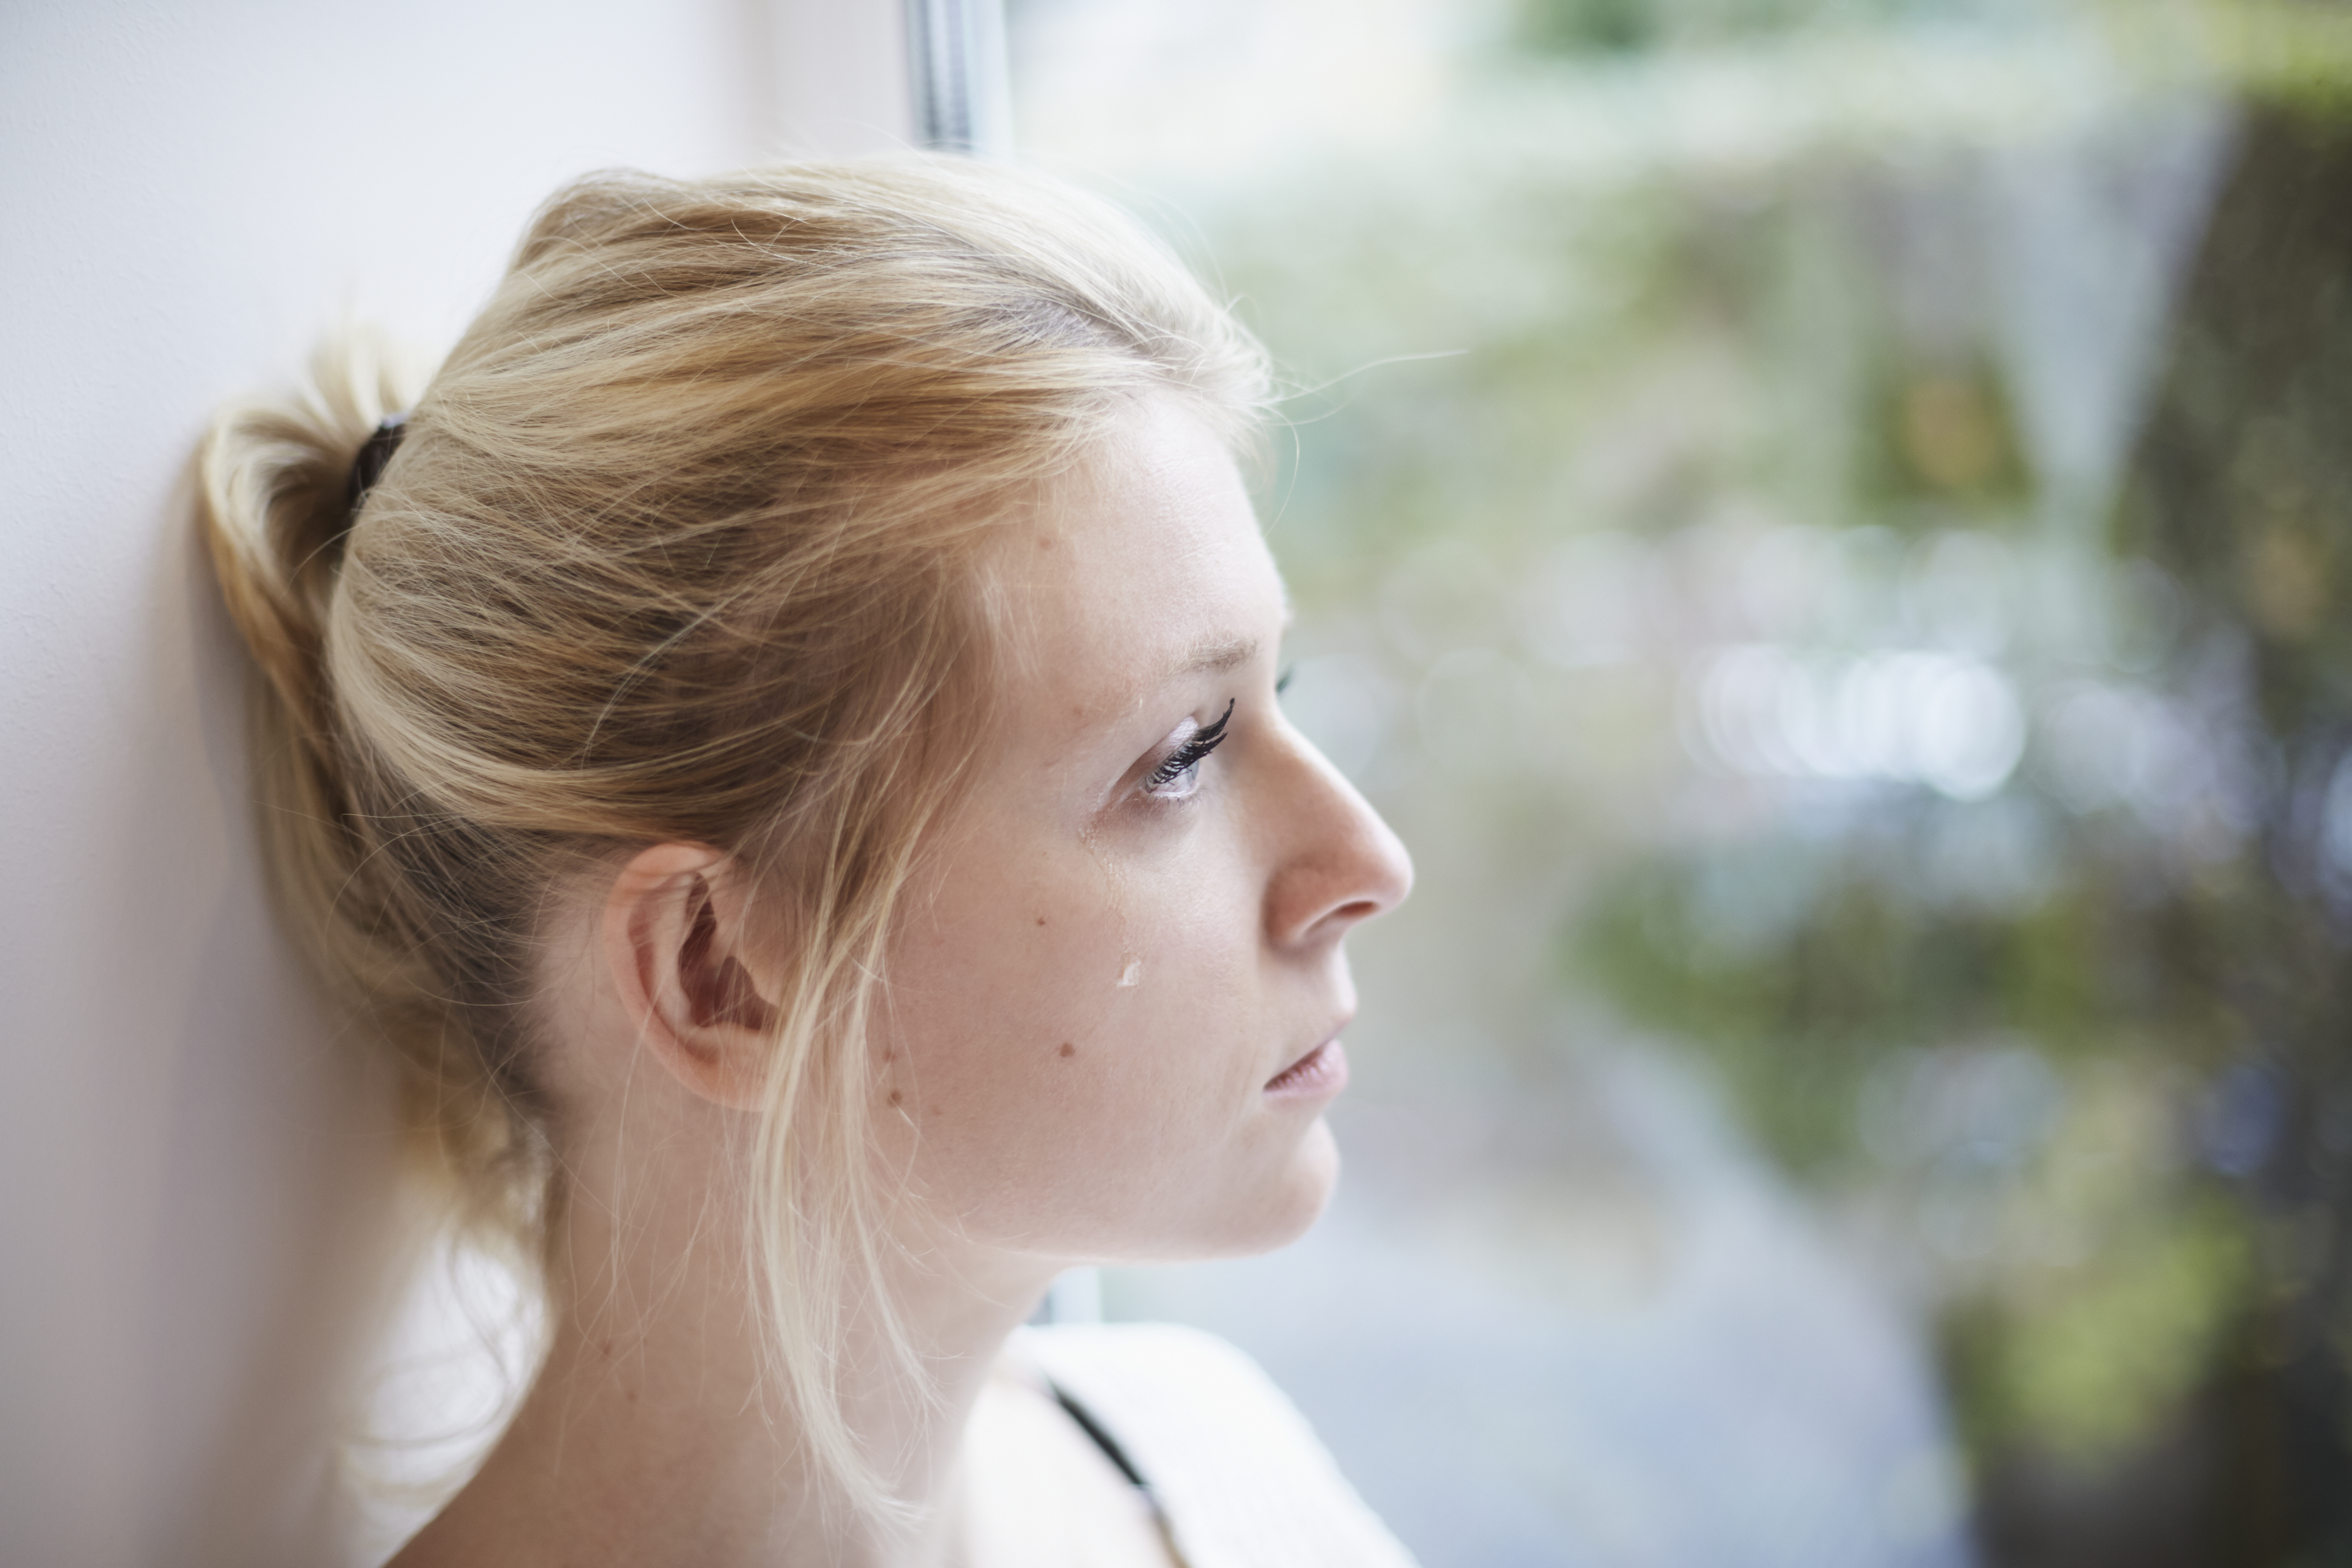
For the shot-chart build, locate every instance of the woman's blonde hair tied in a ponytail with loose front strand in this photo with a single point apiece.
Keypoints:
(679, 544)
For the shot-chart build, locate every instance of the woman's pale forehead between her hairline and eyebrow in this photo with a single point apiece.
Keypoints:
(1140, 565)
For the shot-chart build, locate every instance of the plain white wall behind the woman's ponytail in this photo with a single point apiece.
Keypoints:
(187, 199)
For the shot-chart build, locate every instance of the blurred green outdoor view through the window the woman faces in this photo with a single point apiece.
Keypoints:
(1824, 525)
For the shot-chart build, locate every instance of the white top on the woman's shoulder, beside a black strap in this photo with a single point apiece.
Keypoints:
(1234, 1466)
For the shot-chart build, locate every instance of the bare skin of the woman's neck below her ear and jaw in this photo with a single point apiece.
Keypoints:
(650, 1433)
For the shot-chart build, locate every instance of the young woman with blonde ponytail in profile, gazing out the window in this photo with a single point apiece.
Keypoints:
(782, 751)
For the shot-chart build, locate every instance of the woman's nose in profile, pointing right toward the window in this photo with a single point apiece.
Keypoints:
(1337, 862)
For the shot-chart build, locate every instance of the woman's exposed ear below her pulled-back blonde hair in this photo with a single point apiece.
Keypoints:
(679, 951)
